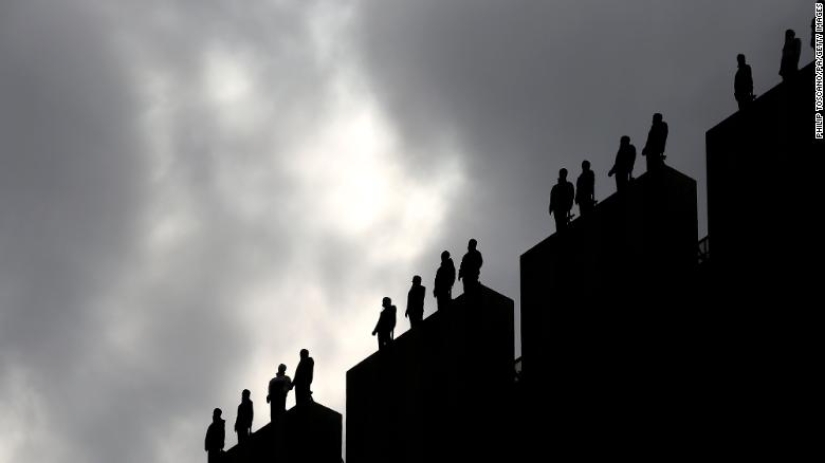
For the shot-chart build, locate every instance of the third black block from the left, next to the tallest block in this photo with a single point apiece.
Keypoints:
(597, 307)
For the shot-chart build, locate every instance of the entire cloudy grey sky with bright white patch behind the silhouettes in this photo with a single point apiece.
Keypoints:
(193, 191)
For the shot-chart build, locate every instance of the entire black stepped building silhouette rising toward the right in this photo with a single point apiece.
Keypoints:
(637, 341)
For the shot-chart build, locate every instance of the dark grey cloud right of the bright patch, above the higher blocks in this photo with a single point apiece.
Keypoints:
(528, 87)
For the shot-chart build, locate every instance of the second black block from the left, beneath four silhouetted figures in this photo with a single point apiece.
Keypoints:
(441, 391)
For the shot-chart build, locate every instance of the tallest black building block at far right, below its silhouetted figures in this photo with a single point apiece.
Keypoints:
(764, 194)
